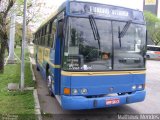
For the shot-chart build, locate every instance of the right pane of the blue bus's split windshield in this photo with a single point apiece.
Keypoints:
(129, 50)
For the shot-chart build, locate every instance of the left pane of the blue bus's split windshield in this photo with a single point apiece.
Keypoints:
(82, 49)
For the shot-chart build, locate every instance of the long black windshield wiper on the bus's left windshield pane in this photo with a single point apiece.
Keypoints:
(95, 30)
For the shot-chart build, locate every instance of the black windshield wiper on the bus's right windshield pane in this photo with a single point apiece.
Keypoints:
(122, 33)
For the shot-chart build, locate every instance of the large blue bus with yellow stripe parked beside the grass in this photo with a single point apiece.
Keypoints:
(92, 55)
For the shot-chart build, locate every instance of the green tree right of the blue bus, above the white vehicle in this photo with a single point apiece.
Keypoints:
(153, 27)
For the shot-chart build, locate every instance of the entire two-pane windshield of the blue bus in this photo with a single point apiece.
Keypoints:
(82, 51)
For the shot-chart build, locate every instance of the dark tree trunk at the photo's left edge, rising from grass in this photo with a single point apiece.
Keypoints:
(5, 6)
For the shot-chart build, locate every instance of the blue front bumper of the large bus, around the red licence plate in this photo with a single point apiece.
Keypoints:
(81, 102)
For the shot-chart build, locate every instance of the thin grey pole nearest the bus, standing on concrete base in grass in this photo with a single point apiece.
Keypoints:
(23, 42)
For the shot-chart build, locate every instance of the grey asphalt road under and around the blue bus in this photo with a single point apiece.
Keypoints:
(51, 109)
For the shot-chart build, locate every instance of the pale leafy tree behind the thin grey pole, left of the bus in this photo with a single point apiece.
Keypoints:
(34, 13)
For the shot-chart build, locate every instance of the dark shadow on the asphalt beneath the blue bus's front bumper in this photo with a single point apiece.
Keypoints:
(112, 113)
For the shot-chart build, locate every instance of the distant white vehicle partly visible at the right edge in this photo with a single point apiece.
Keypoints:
(153, 52)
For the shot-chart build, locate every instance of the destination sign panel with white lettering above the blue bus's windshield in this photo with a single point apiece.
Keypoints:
(106, 11)
